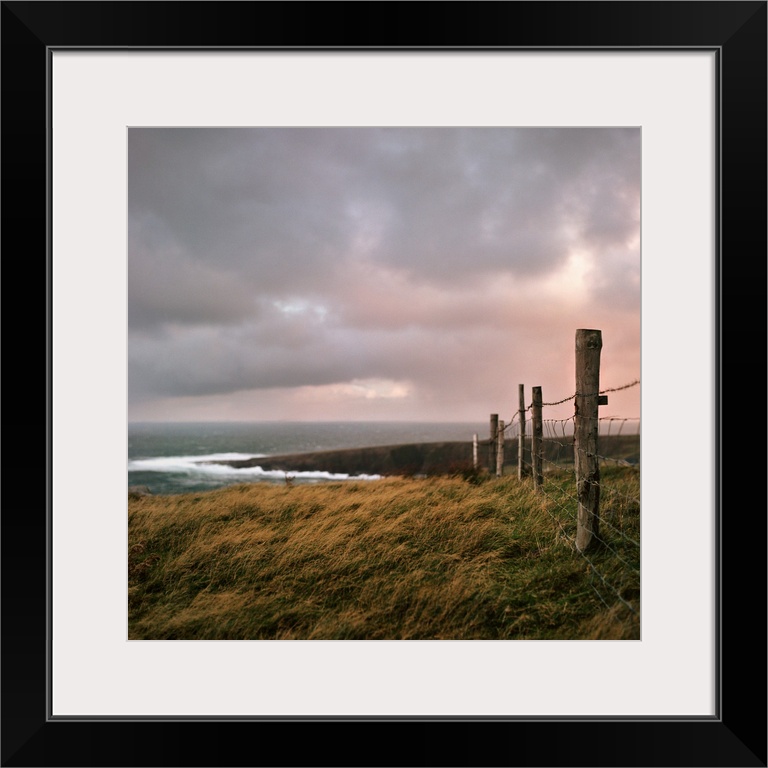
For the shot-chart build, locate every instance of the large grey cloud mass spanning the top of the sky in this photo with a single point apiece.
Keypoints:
(439, 202)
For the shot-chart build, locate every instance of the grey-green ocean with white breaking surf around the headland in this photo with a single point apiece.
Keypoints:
(165, 457)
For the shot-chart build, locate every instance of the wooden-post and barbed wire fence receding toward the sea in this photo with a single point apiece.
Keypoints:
(603, 510)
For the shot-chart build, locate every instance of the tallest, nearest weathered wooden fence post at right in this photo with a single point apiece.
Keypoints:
(588, 345)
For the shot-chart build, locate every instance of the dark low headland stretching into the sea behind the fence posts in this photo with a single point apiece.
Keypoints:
(430, 458)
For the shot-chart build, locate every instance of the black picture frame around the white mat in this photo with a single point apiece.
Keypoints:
(736, 736)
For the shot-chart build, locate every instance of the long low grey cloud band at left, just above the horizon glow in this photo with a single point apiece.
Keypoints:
(211, 360)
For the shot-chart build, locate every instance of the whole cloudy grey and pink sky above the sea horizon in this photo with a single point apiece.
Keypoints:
(378, 273)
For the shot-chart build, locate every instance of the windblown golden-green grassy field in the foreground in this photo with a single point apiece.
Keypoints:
(461, 557)
